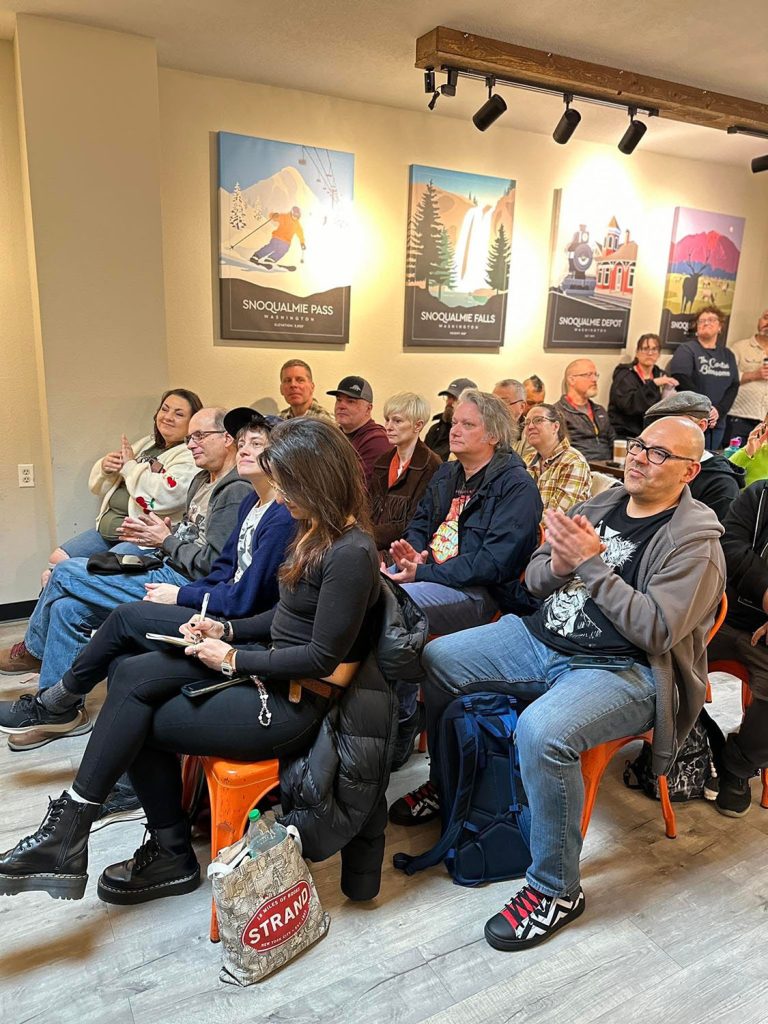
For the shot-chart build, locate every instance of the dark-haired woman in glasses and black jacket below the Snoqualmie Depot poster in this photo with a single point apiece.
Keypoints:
(637, 387)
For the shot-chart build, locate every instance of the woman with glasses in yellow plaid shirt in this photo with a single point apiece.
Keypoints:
(562, 474)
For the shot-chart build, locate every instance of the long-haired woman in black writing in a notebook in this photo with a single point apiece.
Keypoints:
(329, 584)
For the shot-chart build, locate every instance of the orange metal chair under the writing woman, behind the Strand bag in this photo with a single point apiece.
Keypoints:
(234, 788)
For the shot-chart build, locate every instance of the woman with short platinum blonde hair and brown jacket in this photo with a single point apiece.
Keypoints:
(401, 475)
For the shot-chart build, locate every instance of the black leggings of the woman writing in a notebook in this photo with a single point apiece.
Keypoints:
(146, 722)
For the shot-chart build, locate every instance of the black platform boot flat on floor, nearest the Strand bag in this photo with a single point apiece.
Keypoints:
(164, 866)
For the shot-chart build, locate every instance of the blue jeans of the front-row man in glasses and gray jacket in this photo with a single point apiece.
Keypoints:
(76, 602)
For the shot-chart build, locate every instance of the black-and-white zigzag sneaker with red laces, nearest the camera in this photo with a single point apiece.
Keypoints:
(530, 918)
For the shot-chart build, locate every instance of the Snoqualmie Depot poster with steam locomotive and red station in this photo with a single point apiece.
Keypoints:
(592, 271)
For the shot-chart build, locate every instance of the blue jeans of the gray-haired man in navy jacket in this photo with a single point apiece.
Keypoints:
(448, 611)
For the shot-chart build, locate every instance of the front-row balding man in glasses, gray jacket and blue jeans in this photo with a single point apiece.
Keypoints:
(76, 602)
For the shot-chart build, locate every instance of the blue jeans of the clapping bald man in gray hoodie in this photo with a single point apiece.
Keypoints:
(575, 709)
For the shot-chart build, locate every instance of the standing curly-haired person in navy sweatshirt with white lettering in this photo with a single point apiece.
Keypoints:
(708, 368)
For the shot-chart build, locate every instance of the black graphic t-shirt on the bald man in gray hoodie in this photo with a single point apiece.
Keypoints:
(570, 621)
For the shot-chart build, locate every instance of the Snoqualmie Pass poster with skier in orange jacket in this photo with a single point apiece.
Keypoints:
(285, 241)
